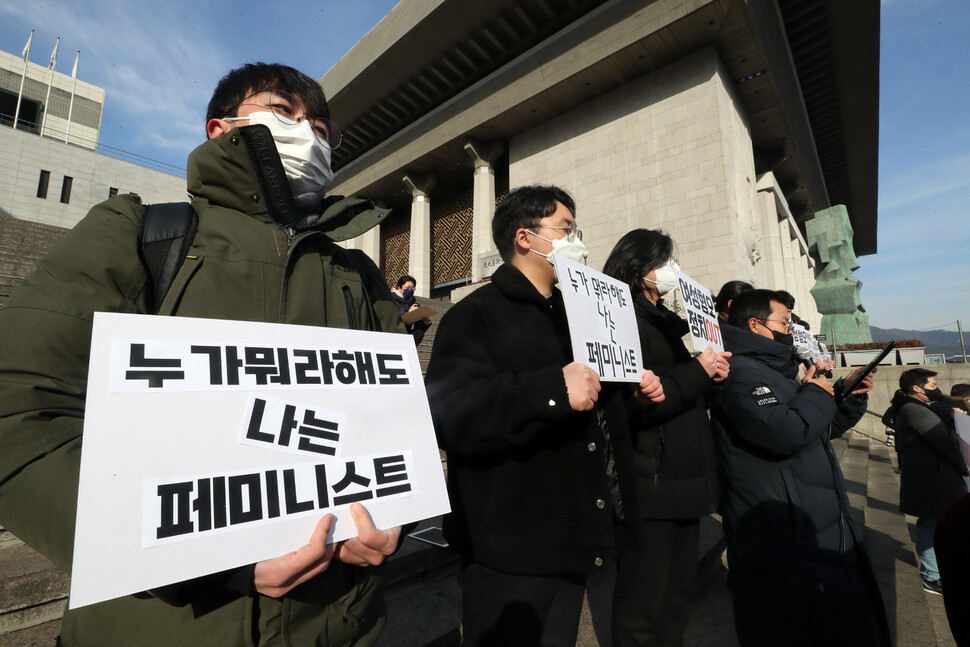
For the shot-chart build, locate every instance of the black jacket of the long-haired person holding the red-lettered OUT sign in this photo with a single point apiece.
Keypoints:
(673, 443)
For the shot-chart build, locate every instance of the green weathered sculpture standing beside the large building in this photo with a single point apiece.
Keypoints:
(836, 291)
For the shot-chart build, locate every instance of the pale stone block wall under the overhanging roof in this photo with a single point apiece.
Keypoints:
(669, 151)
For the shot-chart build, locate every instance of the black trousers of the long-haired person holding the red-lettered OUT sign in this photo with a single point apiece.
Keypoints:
(654, 584)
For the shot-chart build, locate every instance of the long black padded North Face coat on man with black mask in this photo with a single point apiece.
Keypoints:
(783, 497)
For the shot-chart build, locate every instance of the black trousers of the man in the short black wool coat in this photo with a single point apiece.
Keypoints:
(519, 610)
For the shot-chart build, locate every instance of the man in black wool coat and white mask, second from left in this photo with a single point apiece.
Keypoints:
(539, 467)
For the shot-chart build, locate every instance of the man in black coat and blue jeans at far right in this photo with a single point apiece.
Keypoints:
(931, 467)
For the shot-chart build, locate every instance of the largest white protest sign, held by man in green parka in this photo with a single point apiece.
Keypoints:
(211, 444)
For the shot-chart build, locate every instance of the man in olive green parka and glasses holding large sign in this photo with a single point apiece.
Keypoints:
(264, 251)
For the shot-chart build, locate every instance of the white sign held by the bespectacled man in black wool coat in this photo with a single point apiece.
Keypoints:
(602, 324)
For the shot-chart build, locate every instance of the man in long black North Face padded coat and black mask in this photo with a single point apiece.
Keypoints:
(798, 570)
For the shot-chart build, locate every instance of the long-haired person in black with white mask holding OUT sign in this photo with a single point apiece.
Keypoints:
(674, 453)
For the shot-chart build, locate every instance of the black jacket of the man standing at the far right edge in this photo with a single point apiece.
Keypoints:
(931, 466)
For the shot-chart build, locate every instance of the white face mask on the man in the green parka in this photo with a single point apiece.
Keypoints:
(306, 160)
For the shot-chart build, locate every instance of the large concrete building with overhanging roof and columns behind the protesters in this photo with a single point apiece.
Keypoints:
(706, 119)
